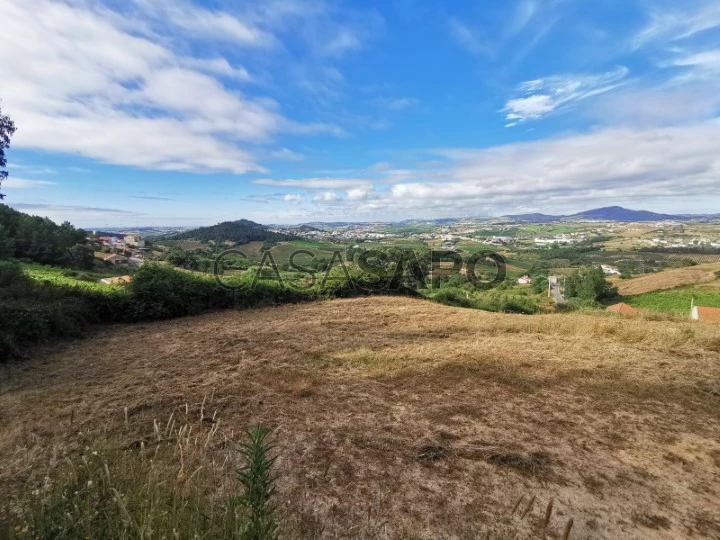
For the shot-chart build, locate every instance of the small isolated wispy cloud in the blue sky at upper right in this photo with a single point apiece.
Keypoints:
(544, 96)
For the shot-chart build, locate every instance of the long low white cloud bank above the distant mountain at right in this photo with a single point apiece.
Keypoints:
(641, 168)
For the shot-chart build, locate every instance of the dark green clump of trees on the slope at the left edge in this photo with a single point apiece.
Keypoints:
(41, 240)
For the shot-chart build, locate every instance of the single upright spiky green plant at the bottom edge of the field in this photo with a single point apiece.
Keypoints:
(259, 482)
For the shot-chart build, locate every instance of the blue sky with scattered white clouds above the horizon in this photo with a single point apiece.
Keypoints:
(180, 112)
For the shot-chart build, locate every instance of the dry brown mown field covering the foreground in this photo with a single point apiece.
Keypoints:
(400, 418)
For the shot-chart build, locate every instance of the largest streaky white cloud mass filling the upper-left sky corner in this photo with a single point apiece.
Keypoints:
(77, 79)
